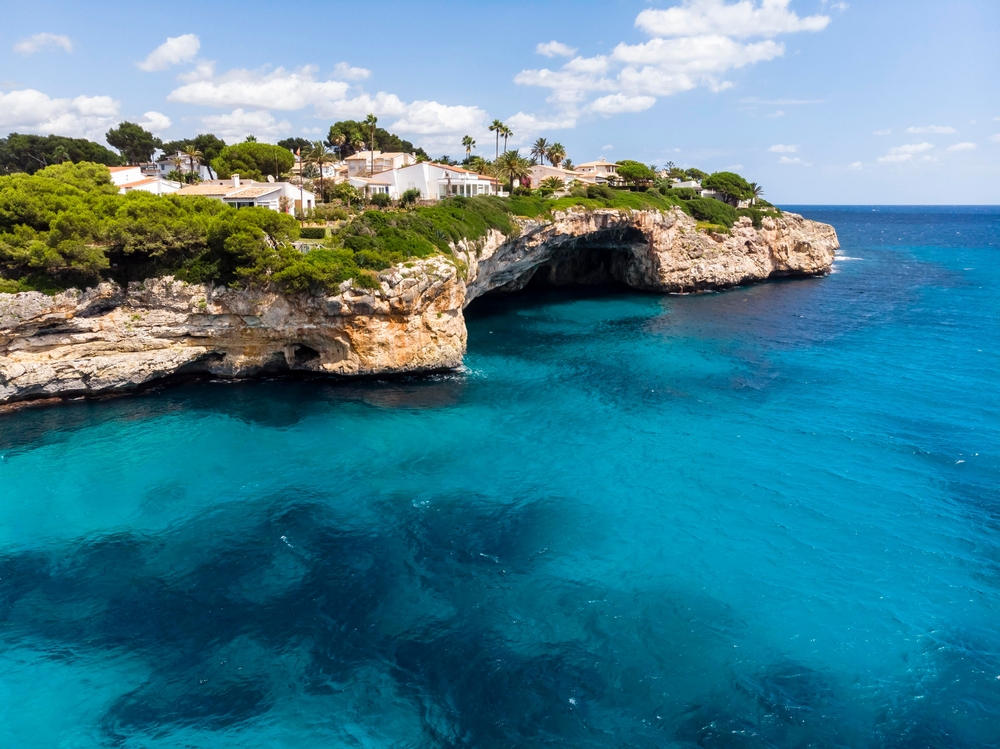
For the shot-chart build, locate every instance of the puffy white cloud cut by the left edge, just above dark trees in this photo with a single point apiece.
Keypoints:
(28, 110)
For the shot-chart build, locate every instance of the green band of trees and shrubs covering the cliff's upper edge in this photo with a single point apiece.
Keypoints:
(68, 226)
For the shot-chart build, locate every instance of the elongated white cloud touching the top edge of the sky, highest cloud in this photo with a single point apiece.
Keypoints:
(746, 18)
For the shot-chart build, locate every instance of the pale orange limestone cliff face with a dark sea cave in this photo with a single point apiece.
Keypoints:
(113, 339)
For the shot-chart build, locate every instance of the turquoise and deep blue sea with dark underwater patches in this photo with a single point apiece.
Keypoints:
(768, 517)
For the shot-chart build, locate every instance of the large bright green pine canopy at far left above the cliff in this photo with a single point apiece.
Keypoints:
(67, 225)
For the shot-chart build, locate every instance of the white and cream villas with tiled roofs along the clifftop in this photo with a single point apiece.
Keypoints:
(371, 172)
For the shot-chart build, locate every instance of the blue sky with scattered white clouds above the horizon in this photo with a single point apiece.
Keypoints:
(864, 101)
